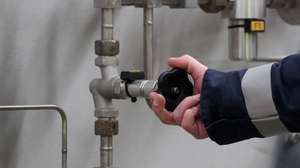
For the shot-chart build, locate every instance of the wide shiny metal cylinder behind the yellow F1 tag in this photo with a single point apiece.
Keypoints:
(244, 45)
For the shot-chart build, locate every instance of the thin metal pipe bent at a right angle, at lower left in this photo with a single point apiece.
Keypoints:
(63, 116)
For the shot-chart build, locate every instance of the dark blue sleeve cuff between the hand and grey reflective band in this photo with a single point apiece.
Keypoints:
(223, 108)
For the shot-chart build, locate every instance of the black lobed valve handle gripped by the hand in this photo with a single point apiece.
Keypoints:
(174, 85)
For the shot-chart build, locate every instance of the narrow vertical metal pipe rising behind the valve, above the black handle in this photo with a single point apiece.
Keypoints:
(148, 42)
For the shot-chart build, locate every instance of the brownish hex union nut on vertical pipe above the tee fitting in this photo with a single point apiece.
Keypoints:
(107, 47)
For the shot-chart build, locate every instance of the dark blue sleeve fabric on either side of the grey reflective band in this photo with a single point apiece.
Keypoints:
(223, 108)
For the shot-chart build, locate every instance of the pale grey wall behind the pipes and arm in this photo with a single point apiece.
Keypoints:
(46, 56)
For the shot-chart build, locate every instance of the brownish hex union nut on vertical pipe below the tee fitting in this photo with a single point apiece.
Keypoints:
(106, 127)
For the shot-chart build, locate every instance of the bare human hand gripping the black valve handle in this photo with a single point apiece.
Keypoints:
(186, 113)
